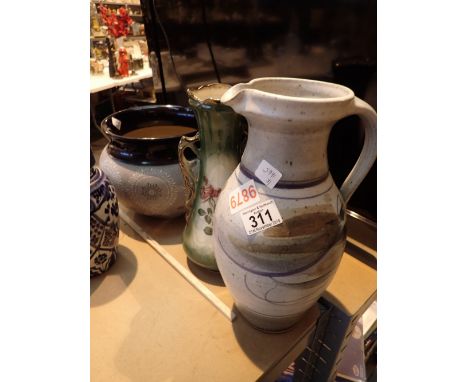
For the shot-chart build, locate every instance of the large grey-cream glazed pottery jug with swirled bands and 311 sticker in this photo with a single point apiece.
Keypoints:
(277, 274)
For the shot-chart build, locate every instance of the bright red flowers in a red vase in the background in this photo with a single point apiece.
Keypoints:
(118, 26)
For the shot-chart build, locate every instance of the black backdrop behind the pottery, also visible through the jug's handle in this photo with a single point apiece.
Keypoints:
(330, 40)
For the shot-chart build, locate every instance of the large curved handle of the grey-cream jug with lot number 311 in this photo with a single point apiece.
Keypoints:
(369, 150)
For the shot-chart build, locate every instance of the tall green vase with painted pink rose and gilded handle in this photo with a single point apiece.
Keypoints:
(218, 146)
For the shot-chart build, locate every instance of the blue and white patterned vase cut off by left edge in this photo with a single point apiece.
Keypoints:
(104, 221)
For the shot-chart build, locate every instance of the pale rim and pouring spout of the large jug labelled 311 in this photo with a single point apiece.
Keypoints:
(346, 93)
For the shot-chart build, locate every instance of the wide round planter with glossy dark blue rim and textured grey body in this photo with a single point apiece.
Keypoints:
(145, 170)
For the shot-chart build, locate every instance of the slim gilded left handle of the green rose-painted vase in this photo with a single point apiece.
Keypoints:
(190, 178)
